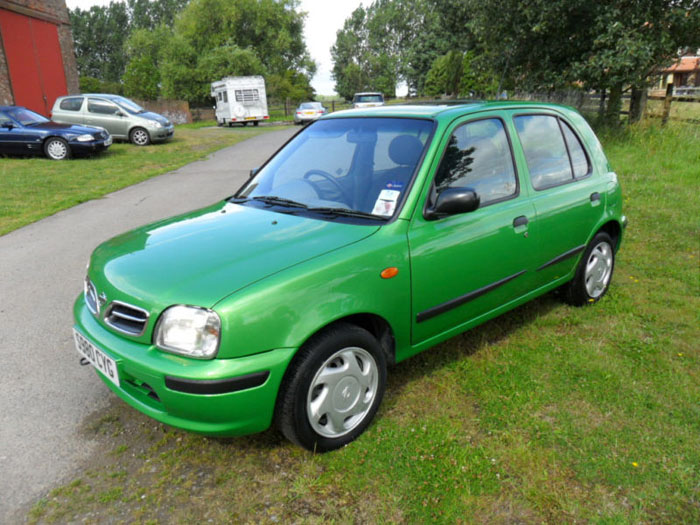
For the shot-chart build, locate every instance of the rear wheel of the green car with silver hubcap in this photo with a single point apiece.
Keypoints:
(599, 255)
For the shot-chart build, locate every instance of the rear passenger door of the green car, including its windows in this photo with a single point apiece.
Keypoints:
(566, 193)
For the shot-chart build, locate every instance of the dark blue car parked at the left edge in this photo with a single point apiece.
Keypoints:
(23, 132)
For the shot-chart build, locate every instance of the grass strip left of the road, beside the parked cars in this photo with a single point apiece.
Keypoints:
(34, 188)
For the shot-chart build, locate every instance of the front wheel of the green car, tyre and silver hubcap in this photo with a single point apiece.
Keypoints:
(304, 386)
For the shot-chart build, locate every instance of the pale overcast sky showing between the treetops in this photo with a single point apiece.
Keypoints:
(324, 18)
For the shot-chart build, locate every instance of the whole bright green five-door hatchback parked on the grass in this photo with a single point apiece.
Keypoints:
(370, 236)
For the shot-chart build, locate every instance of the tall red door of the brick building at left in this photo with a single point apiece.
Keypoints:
(34, 59)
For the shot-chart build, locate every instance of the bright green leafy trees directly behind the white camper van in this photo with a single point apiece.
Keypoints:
(212, 39)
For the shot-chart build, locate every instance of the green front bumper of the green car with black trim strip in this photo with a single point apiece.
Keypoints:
(218, 397)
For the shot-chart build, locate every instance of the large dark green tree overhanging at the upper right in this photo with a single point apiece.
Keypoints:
(598, 44)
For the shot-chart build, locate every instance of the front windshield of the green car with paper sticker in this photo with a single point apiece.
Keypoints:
(360, 164)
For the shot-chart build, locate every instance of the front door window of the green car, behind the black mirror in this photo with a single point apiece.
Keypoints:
(478, 156)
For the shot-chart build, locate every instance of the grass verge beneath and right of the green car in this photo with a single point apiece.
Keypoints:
(547, 414)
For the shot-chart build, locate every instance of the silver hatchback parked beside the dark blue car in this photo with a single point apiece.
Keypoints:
(123, 118)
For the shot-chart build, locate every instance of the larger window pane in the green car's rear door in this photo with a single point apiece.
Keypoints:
(545, 151)
